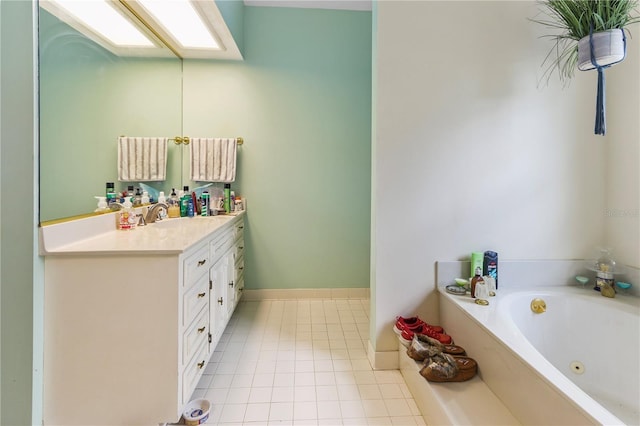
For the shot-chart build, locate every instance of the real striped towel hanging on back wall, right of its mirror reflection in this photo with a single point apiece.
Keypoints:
(213, 159)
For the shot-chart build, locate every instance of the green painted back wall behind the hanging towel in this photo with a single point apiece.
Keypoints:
(302, 101)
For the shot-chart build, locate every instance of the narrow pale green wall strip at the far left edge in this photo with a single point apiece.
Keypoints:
(18, 269)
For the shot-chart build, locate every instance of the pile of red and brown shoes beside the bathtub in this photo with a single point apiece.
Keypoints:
(443, 361)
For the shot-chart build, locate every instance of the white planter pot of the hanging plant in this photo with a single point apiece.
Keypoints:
(608, 48)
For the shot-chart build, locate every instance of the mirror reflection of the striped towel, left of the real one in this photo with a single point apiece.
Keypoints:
(142, 159)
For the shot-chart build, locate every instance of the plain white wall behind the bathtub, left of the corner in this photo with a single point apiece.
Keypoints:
(470, 154)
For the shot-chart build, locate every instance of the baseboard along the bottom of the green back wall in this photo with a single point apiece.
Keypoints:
(305, 293)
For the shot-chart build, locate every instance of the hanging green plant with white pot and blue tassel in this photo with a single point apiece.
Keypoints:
(590, 34)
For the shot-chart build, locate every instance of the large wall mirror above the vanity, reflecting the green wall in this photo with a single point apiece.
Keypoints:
(88, 98)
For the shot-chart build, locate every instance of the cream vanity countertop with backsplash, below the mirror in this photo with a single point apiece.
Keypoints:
(98, 236)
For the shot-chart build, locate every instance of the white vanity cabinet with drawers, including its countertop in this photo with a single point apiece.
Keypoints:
(132, 318)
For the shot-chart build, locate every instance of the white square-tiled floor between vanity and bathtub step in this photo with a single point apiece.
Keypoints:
(302, 362)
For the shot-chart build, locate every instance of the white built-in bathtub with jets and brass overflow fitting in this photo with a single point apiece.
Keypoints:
(577, 363)
